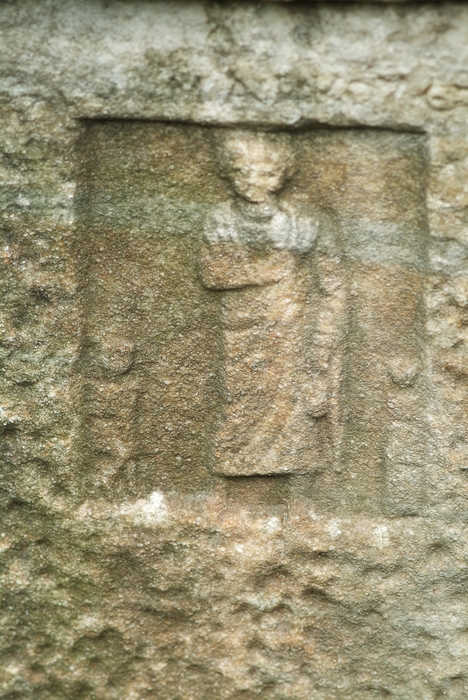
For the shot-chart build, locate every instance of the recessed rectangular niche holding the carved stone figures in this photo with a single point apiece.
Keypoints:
(253, 306)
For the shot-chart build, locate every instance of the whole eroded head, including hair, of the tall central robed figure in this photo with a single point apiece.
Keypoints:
(257, 164)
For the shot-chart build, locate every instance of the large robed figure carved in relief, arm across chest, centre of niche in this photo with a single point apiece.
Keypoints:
(256, 254)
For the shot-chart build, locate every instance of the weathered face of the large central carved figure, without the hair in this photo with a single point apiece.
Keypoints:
(257, 169)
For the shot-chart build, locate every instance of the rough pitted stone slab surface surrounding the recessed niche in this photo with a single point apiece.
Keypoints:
(250, 590)
